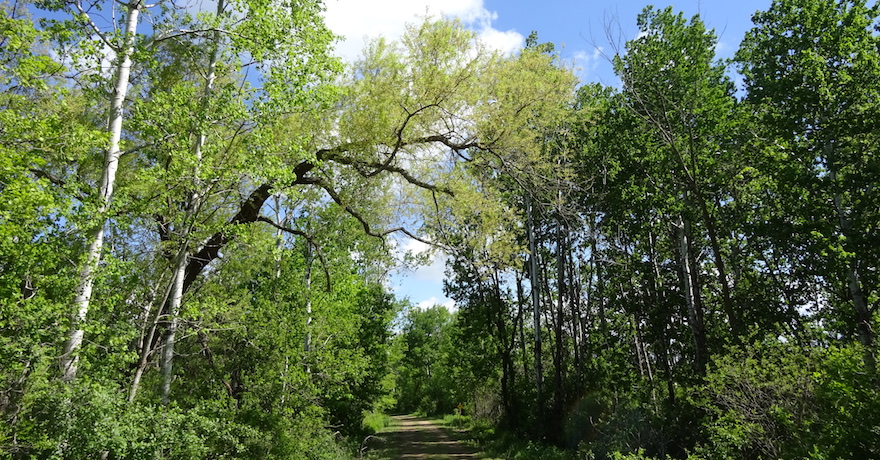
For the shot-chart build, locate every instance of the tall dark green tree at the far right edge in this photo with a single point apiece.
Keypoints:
(811, 70)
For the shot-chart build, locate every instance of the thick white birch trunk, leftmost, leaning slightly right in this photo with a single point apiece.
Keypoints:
(70, 358)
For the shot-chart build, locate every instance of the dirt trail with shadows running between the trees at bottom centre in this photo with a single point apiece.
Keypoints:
(414, 438)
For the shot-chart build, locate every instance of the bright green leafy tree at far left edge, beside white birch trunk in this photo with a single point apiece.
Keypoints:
(42, 124)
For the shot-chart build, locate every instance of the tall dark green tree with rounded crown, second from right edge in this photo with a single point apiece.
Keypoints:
(685, 100)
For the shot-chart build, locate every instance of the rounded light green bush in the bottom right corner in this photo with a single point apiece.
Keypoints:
(776, 400)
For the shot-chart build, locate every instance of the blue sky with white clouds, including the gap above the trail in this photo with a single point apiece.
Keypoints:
(577, 27)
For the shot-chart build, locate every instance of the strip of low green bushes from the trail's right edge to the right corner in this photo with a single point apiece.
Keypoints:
(770, 399)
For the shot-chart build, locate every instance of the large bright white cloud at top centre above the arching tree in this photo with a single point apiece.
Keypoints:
(359, 21)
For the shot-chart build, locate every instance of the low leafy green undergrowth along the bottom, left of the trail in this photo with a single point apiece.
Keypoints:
(87, 420)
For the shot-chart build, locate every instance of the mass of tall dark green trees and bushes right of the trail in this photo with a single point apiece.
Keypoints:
(691, 217)
